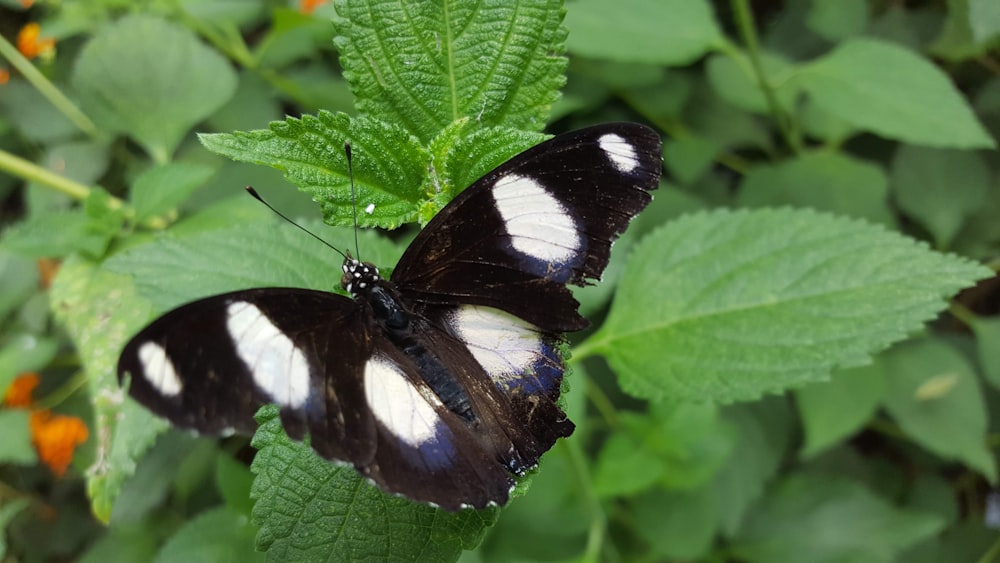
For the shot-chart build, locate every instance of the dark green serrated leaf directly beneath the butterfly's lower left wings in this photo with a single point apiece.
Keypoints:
(309, 509)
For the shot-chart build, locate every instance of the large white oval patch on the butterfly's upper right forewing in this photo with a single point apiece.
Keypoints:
(537, 223)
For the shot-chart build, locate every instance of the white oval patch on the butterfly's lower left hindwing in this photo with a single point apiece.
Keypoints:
(398, 405)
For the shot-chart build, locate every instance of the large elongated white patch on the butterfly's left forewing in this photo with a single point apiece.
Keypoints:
(278, 367)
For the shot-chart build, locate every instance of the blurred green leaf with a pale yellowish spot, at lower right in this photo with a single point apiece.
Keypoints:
(935, 397)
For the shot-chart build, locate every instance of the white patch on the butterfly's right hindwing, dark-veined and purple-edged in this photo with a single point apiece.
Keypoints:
(508, 348)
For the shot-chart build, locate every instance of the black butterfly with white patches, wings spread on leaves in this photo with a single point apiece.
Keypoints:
(441, 383)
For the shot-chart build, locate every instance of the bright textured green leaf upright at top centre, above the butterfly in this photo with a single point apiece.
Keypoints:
(423, 65)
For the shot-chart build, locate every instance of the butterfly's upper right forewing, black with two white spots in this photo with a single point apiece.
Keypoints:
(543, 219)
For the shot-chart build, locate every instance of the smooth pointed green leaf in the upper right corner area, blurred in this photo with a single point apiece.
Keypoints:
(893, 92)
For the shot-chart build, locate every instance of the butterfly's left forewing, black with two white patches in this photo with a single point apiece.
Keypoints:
(210, 364)
